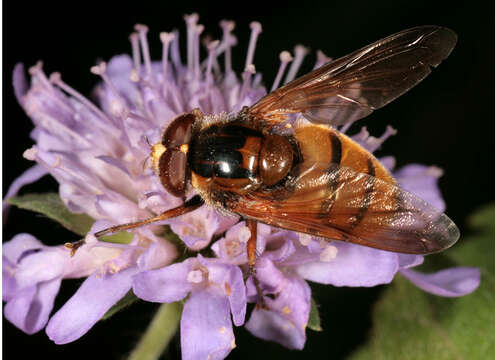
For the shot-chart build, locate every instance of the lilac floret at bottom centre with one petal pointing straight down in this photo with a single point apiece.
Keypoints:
(216, 290)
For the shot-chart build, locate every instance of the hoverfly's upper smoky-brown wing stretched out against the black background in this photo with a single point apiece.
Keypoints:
(351, 87)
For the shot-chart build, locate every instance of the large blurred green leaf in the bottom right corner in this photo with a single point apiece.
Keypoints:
(411, 324)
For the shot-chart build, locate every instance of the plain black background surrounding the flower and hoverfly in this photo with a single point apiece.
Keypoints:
(445, 121)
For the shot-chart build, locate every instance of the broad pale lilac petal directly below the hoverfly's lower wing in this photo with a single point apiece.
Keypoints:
(354, 265)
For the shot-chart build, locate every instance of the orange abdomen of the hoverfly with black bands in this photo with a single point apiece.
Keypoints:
(323, 145)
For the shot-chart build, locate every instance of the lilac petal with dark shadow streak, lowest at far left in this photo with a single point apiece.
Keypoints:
(30, 309)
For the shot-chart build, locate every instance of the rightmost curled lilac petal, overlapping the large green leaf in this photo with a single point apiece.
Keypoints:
(453, 282)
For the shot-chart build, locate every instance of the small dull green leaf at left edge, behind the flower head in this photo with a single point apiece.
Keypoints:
(50, 205)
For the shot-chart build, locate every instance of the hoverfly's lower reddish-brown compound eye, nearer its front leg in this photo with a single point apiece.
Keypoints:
(172, 167)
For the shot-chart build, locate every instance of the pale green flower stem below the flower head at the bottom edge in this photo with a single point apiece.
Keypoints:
(159, 333)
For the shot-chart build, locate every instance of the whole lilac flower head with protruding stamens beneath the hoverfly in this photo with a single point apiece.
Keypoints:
(96, 153)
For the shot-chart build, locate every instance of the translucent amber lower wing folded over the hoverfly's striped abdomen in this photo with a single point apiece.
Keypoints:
(338, 203)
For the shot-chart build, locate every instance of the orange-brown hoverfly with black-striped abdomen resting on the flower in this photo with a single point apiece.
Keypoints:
(306, 176)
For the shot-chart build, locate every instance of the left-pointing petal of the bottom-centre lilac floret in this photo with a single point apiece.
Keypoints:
(164, 285)
